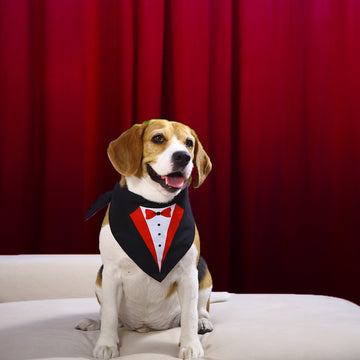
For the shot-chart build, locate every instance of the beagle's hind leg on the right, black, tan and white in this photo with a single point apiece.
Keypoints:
(205, 286)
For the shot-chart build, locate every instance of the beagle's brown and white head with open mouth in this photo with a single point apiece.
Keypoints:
(157, 157)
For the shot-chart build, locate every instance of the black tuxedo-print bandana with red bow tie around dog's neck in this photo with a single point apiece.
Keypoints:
(154, 235)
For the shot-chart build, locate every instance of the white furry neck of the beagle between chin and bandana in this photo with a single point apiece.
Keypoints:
(148, 189)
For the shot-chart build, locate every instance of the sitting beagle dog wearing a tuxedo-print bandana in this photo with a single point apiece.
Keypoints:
(153, 276)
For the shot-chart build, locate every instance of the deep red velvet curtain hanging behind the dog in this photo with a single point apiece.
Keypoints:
(270, 86)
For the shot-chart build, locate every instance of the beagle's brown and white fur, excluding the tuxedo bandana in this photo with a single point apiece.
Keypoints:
(145, 156)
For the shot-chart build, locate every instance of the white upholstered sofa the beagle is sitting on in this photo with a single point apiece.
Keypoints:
(43, 297)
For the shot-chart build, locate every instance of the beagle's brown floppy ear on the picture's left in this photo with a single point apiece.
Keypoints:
(125, 152)
